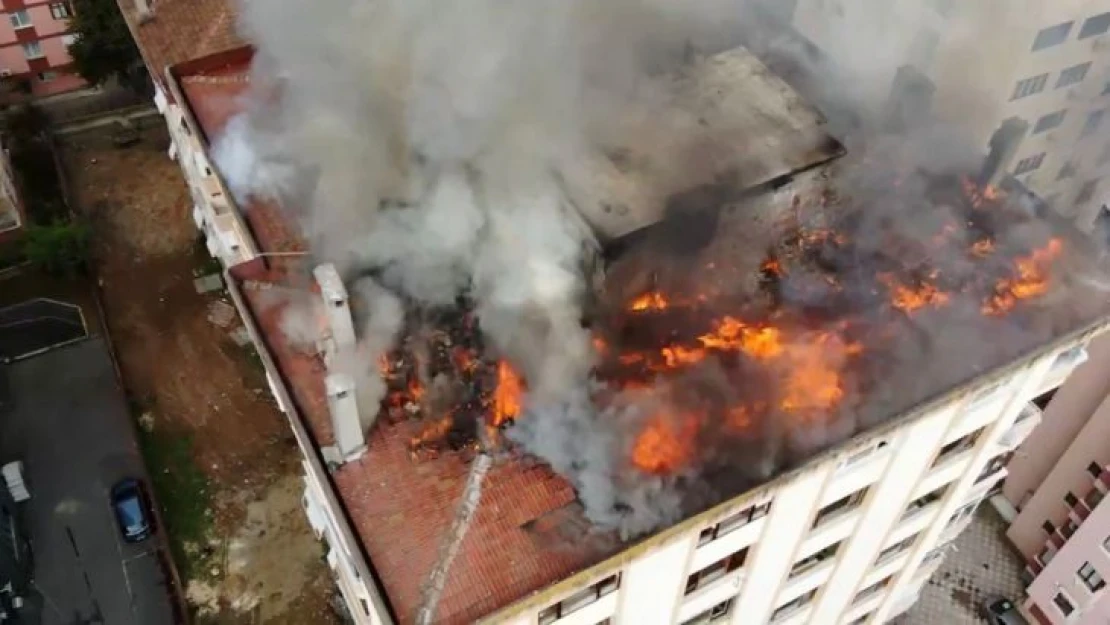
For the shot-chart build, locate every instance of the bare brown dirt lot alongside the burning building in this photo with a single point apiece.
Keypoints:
(224, 461)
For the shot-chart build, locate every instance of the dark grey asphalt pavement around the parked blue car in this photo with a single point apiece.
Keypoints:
(69, 425)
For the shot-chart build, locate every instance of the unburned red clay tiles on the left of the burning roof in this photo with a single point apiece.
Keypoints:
(528, 532)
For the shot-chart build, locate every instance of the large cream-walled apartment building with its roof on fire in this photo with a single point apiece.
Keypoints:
(786, 380)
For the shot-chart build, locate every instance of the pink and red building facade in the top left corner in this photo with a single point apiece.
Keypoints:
(34, 42)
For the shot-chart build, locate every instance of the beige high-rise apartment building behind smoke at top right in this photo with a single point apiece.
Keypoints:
(1044, 62)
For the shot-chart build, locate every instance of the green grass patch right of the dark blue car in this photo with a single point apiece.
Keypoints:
(183, 491)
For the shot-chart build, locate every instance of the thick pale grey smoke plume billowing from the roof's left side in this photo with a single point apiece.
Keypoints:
(422, 142)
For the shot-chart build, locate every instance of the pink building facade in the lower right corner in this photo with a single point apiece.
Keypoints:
(1058, 481)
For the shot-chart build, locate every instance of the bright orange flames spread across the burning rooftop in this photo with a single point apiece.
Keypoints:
(784, 369)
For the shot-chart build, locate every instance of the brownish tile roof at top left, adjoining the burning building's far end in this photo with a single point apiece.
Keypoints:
(180, 31)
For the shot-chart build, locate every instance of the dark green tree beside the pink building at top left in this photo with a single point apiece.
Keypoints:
(104, 48)
